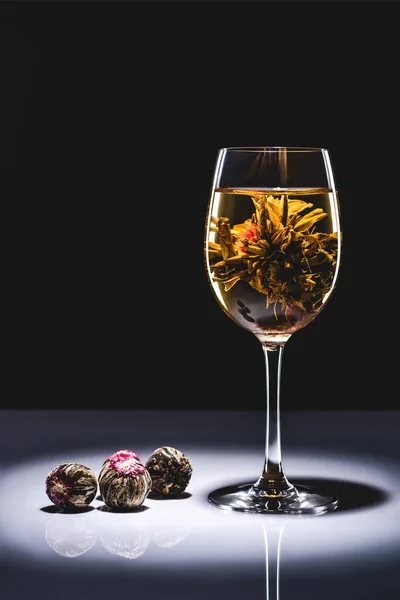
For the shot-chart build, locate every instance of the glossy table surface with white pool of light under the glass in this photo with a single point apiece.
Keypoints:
(186, 548)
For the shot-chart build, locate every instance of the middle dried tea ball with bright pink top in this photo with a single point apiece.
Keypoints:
(124, 481)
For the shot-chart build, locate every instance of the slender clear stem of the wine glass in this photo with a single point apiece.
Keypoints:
(273, 481)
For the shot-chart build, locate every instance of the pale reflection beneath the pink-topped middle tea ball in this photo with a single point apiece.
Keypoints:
(124, 539)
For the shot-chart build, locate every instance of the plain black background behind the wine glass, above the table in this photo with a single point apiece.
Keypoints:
(112, 117)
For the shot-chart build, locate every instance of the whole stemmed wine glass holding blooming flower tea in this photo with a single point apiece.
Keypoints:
(272, 256)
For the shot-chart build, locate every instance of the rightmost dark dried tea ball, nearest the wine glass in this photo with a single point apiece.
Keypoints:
(170, 471)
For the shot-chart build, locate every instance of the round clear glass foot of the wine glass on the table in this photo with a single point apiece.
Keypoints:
(246, 498)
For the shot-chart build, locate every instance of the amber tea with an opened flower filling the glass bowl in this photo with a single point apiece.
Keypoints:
(272, 255)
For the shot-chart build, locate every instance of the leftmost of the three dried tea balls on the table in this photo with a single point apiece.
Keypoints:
(71, 486)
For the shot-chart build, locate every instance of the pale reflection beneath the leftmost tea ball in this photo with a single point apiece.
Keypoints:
(71, 535)
